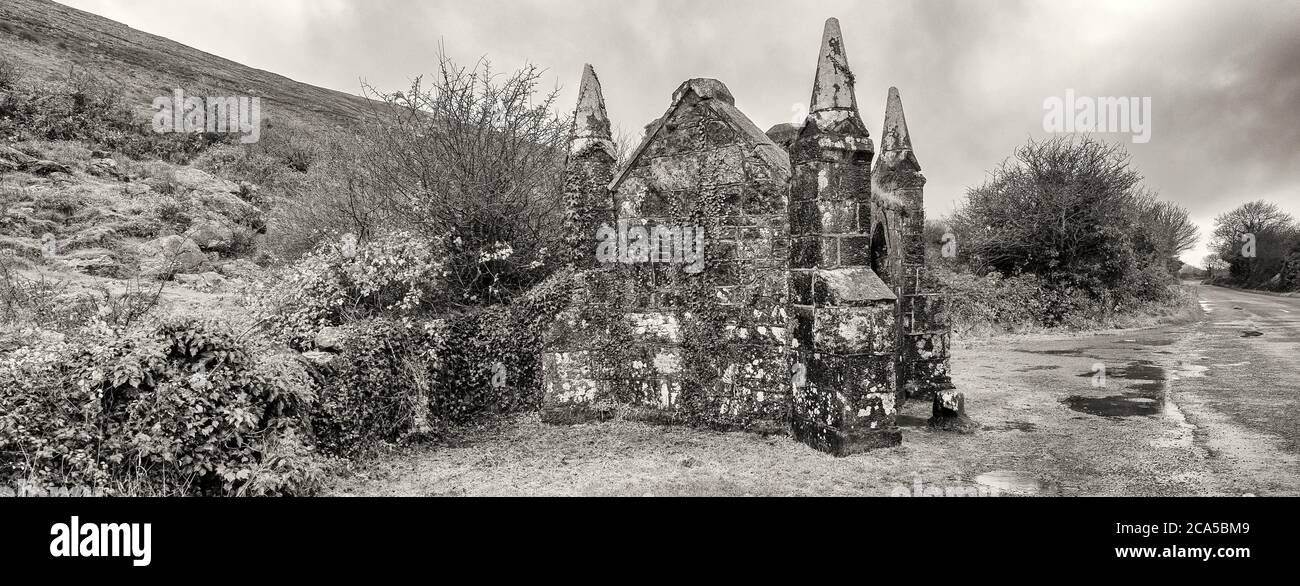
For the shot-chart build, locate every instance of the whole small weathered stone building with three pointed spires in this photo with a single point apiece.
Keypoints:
(735, 279)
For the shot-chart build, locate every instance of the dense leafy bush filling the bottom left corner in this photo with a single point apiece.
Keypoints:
(183, 407)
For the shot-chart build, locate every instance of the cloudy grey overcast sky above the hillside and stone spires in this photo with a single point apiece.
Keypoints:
(1224, 77)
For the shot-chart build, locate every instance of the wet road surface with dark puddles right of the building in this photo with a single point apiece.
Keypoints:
(1195, 409)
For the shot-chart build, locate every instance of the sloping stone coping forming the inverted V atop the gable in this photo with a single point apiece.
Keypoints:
(716, 96)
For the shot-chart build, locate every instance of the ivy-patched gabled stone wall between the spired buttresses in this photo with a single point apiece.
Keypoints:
(666, 338)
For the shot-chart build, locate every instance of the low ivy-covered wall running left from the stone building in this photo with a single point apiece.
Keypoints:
(398, 377)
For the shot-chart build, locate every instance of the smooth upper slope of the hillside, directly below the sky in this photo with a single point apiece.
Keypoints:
(45, 40)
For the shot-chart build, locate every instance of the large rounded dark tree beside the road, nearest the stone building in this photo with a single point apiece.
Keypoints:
(1071, 210)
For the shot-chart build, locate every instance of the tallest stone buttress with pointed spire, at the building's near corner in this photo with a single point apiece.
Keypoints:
(843, 314)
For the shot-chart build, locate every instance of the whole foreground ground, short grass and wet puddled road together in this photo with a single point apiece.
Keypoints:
(1194, 409)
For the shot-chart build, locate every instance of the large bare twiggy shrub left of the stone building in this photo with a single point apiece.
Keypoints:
(471, 158)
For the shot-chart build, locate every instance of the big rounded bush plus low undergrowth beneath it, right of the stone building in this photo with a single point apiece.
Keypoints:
(1072, 229)
